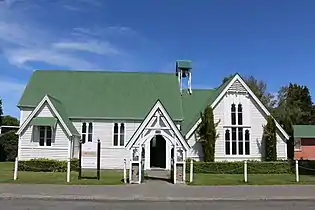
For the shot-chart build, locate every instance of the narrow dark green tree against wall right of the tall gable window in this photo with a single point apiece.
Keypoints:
(270, 140)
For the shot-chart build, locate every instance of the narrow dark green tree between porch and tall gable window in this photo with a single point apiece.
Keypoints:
(207, 134)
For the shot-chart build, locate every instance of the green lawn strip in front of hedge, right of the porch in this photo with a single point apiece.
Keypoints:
(253, 179)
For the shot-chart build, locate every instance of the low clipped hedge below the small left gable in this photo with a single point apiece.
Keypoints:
(47, 165)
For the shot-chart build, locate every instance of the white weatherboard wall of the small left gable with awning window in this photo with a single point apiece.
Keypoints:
(29, 142)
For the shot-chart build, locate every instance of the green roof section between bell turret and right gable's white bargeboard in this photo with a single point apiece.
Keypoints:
(195, 103)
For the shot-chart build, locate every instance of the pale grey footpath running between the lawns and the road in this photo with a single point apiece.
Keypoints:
(158, 191)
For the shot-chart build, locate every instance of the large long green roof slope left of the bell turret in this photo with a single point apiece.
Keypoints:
(100, 94)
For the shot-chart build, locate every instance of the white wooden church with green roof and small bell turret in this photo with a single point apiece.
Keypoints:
(144, 115)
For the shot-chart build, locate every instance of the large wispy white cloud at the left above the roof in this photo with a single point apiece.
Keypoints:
(25, 42)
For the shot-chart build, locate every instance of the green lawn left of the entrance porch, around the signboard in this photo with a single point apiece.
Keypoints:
(108, 177)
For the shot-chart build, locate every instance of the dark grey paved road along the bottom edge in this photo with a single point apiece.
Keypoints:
(136, 205)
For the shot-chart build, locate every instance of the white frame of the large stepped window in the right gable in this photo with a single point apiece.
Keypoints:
(244, 127)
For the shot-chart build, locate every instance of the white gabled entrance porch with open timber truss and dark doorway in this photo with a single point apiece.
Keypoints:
(157, 144)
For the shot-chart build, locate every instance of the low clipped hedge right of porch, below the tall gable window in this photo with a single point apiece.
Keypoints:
(237, 167)
